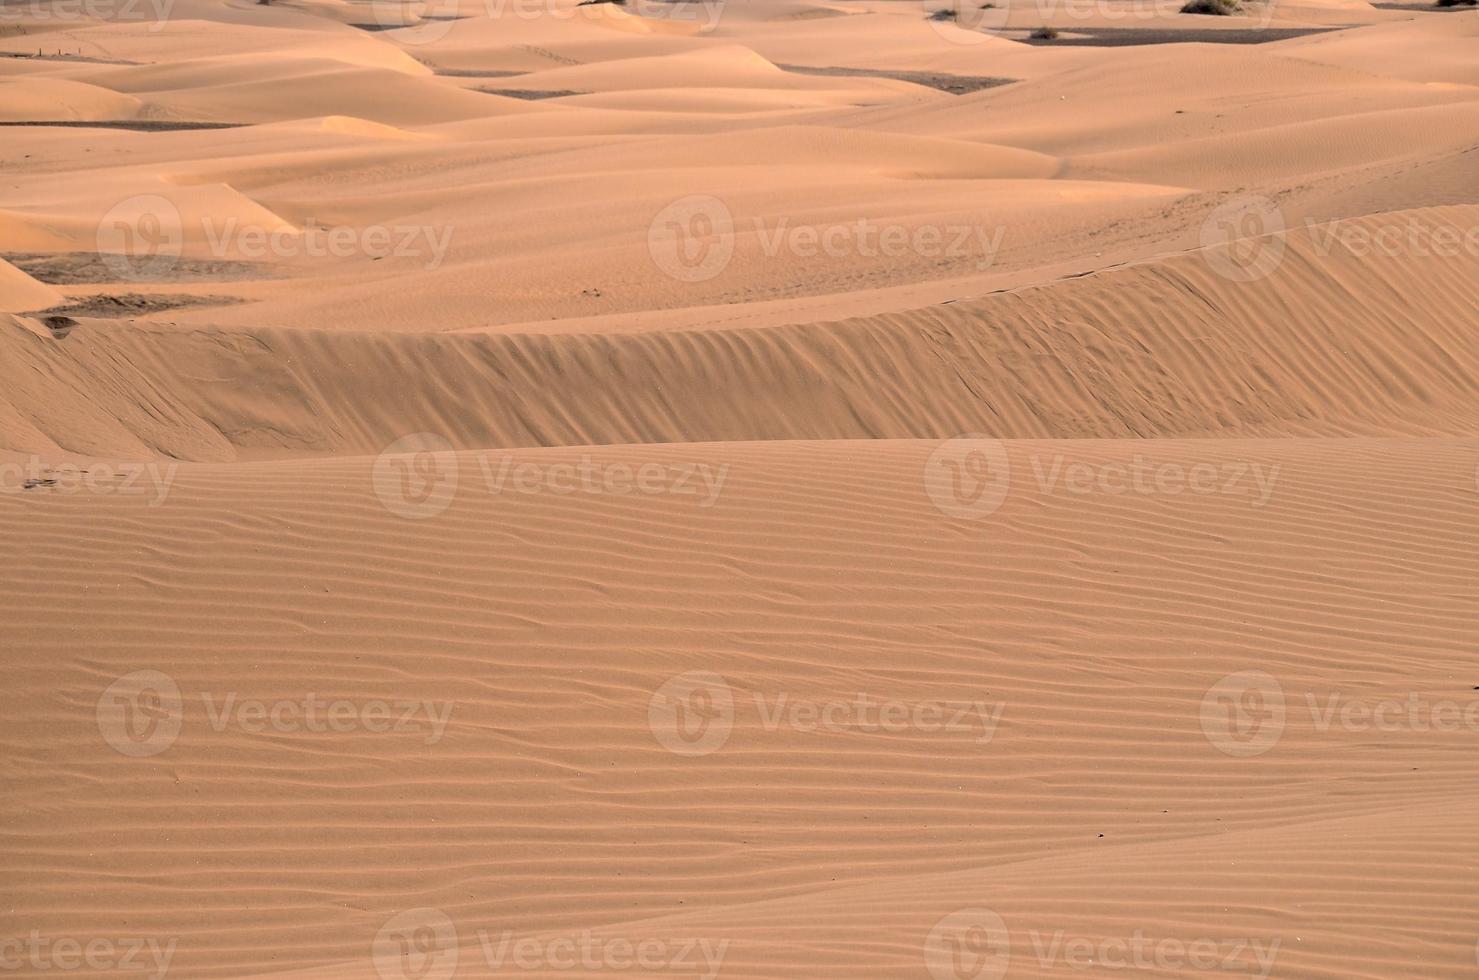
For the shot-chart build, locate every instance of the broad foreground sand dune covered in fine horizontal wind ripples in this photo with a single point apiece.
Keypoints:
(1097, 622)
